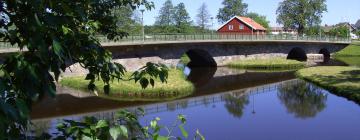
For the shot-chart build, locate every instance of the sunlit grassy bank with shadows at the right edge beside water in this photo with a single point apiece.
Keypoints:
(342, 81)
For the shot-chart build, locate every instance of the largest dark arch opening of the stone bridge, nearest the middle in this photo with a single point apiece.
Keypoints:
(200, 58)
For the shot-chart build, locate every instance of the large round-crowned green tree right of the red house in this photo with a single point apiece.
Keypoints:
(300, 14)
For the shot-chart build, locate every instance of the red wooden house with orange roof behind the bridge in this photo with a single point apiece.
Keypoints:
(241, 25)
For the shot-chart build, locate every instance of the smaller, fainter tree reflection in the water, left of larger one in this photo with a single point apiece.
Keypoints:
(236, 102)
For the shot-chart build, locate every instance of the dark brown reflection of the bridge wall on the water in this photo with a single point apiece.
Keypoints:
(205, 81)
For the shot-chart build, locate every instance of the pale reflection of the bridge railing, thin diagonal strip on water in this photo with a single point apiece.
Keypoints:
(193, 102)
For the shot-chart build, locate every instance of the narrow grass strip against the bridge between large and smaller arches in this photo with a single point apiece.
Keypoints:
(272, 63)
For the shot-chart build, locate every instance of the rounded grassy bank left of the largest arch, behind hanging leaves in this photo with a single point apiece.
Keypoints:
(176, 87)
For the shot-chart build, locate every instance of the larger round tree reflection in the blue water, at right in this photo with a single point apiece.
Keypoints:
(302, 99)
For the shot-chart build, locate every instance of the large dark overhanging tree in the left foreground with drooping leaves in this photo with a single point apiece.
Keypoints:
(56, 33)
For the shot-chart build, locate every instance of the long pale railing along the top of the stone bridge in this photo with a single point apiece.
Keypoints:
(173, 38)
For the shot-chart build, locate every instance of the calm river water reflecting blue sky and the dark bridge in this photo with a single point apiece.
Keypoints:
(231, 105)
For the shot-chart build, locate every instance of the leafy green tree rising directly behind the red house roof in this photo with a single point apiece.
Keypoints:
(231, 8)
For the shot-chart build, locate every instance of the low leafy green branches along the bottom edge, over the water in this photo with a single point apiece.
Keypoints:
(125, 125)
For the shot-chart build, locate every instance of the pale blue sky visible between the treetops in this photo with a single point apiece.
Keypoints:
(338, 10)
